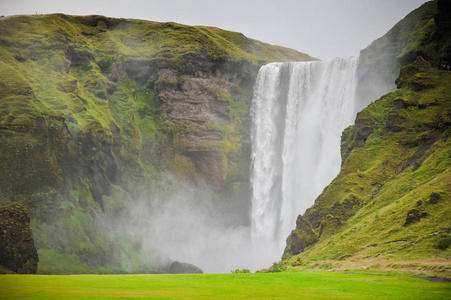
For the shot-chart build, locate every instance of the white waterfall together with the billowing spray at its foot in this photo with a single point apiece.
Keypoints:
(299, 112)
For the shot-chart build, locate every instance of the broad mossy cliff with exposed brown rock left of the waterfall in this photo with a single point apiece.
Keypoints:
(98, 113)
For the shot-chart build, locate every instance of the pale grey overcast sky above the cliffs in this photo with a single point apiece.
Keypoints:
(320, 28)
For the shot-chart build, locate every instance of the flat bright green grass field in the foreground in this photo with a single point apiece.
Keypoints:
(302, 285)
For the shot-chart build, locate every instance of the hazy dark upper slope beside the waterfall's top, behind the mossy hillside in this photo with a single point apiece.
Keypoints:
(424, 32)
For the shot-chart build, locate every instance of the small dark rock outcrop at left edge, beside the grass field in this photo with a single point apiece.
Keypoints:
(17, 250)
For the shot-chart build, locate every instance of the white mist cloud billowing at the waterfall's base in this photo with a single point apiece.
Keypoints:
(189, 225)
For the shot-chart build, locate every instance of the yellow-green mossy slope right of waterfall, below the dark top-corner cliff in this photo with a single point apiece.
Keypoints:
(404, 160)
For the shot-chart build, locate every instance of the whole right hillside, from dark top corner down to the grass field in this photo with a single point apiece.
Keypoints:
(389, 206)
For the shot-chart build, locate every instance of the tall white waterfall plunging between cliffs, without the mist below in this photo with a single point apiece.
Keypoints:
(298, 113)
